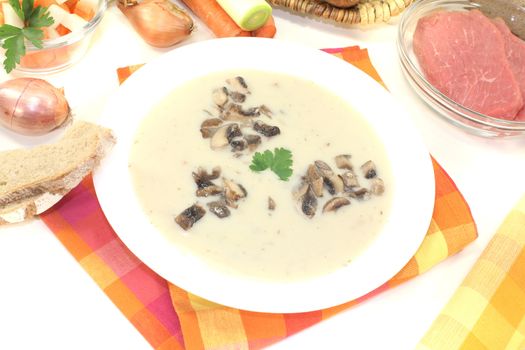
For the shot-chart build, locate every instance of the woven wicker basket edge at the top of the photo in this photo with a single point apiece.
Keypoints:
(365, 12)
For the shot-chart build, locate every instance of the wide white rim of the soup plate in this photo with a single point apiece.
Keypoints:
(286, 303)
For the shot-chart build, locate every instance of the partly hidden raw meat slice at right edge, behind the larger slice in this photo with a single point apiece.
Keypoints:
(515, 49)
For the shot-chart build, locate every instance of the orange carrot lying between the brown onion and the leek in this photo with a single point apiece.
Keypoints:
(215, 18)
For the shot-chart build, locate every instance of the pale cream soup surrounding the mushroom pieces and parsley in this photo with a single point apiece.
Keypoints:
(279, 244)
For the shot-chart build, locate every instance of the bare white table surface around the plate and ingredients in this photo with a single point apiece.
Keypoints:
(48, 302)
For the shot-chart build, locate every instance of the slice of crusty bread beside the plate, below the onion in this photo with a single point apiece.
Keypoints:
(33, 180)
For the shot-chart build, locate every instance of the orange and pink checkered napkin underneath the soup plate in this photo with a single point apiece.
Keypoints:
(171, 318)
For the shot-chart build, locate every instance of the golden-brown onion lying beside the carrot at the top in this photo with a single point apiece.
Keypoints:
(159, 22)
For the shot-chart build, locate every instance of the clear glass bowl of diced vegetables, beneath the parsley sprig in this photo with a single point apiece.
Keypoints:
(60, 53)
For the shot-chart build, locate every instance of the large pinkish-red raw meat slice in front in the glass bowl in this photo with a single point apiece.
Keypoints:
(463, 55)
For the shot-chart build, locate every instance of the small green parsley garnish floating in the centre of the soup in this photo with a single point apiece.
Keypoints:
(280, 162)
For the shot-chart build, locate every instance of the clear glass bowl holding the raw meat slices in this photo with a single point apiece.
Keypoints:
(461, 116)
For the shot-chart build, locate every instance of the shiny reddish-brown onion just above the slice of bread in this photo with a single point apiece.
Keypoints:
(31, 106)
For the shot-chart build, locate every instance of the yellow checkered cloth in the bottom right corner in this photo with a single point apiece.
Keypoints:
(488, 309)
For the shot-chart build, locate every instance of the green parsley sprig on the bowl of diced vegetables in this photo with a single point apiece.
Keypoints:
(34, 18)
